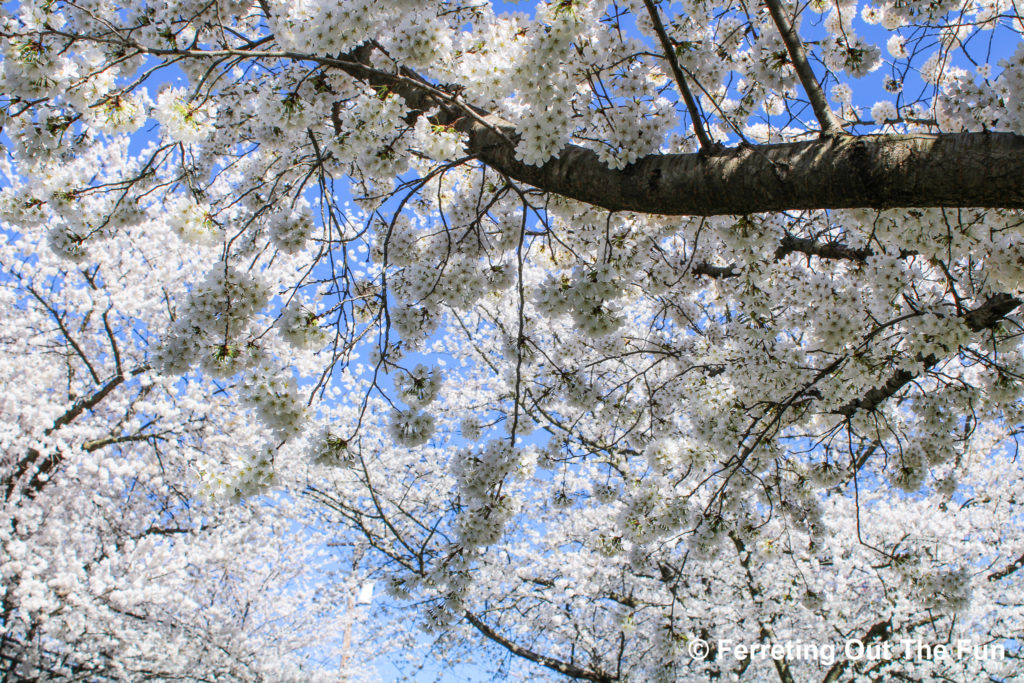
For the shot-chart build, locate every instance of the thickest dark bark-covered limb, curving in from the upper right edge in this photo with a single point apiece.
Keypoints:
(983, 170)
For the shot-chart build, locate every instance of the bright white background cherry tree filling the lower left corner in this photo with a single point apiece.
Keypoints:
(117, 563)
